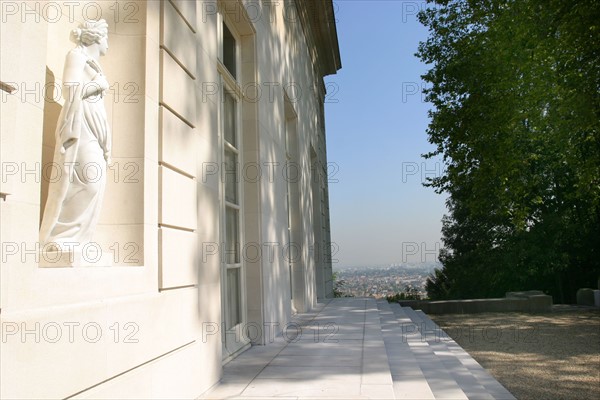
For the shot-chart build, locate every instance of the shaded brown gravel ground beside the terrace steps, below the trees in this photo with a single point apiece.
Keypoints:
(535, 356)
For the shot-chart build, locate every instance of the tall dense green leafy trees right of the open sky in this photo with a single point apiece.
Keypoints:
(515, 89)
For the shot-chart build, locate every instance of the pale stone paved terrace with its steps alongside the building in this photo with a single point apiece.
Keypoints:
(358, 348)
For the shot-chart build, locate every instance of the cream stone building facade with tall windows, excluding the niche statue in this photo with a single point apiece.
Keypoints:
(215, 224)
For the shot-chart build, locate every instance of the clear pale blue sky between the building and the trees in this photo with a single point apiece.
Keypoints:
(376, 121)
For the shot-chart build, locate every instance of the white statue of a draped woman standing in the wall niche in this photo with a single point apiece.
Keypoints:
(83, 143)
